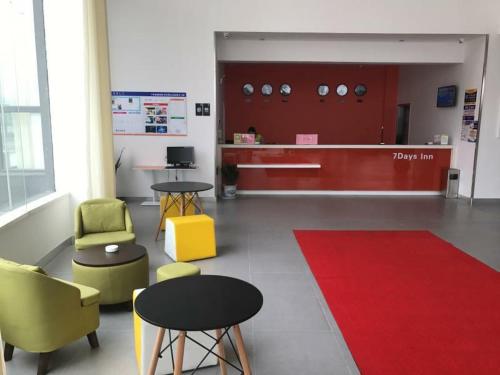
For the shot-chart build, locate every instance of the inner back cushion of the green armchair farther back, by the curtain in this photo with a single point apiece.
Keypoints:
(100, 217)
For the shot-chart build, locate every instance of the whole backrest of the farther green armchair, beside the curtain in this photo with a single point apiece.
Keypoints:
(100, 215)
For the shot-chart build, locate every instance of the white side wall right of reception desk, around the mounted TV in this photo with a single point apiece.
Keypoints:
(418, 87)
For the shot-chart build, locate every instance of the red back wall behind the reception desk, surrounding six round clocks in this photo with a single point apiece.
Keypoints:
(347, 120)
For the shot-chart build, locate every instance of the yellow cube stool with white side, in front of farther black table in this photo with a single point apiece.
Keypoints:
(190, 237)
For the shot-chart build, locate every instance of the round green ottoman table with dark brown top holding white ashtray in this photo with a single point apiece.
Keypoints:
(115, 275)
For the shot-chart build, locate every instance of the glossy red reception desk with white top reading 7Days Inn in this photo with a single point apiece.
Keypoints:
(339, 169)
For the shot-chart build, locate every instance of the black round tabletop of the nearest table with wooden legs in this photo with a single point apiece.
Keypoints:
(199, 303)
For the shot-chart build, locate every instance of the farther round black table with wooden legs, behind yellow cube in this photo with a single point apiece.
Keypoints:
(182, 194)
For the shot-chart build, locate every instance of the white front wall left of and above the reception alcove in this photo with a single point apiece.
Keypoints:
(166, 45)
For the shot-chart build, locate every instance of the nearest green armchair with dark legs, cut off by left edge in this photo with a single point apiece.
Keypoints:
(40, 314)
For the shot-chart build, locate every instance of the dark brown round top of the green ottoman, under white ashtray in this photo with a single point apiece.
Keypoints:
(97, 257)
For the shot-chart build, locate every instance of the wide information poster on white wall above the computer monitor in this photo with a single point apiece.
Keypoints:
(149, 113)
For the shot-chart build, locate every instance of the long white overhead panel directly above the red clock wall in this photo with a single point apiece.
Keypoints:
(342, 50)
